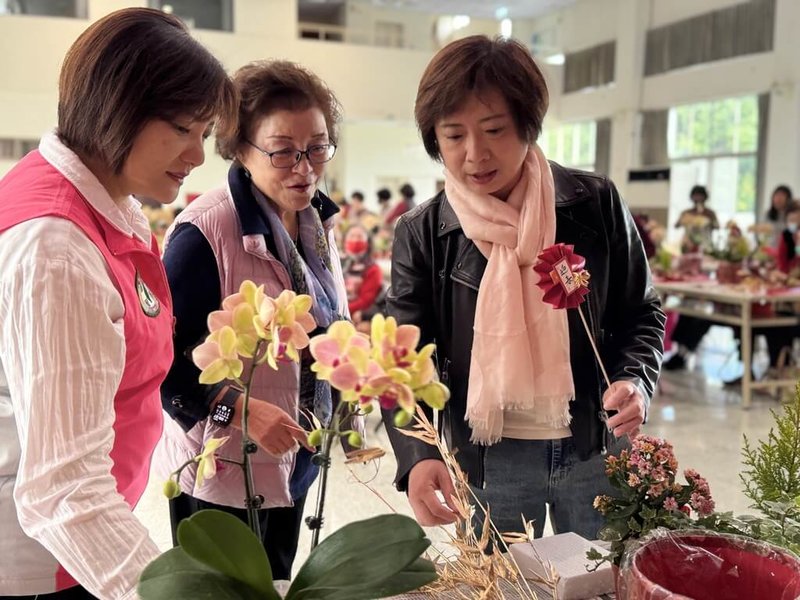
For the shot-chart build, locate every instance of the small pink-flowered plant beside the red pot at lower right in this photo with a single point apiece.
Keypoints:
(648, 496)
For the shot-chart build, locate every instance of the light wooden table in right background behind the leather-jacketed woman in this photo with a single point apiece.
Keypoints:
(743, 301)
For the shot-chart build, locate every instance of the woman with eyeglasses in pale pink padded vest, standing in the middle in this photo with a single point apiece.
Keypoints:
(272, 225)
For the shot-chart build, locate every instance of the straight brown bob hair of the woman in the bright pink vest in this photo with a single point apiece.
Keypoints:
(132, 66)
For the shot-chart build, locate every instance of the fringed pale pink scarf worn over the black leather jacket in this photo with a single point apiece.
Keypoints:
(520, 352)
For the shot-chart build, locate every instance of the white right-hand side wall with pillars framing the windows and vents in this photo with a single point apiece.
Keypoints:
(589, 22)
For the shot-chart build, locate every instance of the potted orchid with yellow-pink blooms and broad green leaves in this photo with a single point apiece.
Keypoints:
(218, 552)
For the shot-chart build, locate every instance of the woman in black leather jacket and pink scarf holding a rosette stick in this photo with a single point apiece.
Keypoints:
(461, 266)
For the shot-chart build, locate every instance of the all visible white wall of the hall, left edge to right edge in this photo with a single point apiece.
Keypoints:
(379, 84)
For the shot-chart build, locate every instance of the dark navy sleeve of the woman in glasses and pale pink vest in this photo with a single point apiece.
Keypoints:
(194, 282)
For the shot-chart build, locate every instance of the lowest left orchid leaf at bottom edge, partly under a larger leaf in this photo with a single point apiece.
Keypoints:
(176, 575)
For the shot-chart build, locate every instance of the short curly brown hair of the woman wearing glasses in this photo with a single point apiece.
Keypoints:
(267, 86)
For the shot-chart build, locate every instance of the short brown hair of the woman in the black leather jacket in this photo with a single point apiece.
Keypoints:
(477, 64)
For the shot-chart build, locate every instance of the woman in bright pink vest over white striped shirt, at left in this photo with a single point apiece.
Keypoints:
(85, 309)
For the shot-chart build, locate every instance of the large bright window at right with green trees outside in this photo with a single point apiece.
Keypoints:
(715, 144)
